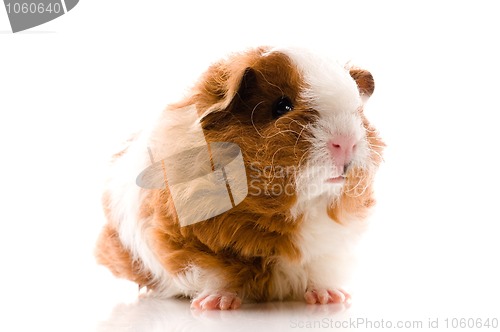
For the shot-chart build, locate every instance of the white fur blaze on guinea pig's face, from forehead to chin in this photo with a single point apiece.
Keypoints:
(332, 92)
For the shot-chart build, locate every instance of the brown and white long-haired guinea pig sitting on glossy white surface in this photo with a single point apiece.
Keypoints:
(308, 160)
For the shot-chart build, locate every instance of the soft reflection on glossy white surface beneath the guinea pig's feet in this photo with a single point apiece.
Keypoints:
(153, 315)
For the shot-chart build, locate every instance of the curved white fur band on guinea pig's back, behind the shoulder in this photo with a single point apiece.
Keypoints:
(126, 196)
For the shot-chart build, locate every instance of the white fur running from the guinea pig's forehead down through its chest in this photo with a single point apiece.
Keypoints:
(326, 246)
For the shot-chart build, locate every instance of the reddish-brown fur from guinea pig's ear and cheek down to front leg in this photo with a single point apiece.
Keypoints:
(243, 243)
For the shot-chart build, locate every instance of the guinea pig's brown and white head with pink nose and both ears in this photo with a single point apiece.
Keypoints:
(298, 120)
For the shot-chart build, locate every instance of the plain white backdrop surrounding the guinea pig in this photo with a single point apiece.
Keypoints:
(72, 89)
